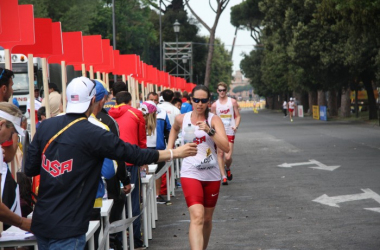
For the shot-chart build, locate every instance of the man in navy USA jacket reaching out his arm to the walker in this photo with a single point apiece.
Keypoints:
(70, 166)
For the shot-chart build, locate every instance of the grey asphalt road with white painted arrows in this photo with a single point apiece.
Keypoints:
(268, 207)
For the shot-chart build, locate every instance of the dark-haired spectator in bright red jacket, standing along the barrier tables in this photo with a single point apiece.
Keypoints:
(132, 130)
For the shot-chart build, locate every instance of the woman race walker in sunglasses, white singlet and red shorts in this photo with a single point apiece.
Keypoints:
(200, 175)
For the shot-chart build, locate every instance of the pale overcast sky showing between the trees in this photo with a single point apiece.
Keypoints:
(225, 31)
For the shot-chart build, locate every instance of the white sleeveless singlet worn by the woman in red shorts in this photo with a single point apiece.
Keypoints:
(204, 165)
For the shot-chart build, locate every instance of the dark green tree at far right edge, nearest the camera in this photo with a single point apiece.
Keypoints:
(359, 20)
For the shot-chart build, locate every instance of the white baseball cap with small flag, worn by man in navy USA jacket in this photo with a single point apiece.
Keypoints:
(79, 93)
